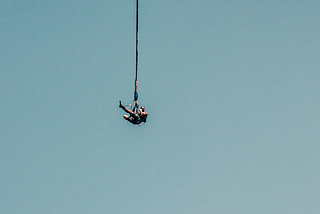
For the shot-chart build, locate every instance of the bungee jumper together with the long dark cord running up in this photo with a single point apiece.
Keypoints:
(137, 116)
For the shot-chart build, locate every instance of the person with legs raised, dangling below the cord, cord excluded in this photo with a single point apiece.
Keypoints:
(137, 115)
